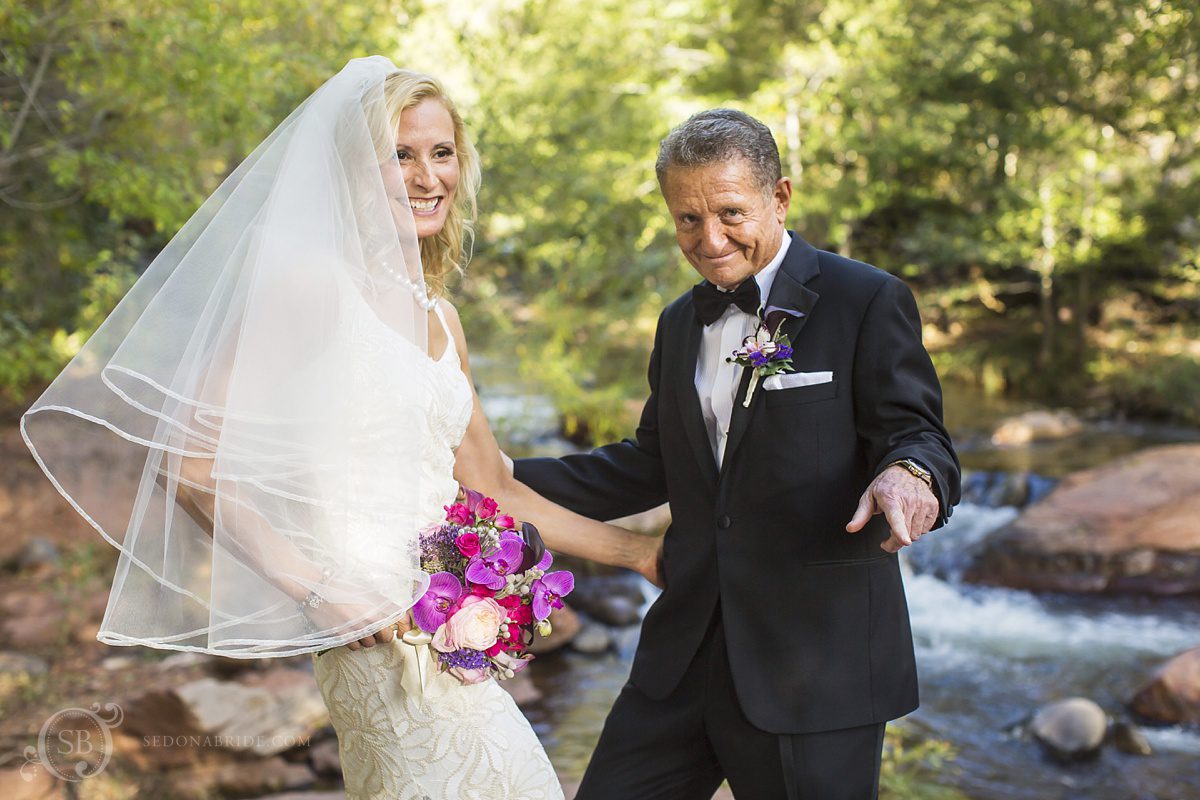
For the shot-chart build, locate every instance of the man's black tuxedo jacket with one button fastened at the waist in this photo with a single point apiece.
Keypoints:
(815, 618)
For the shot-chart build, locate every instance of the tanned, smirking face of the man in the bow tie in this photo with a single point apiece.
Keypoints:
(728, 226)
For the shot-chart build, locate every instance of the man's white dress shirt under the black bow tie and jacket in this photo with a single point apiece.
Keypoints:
(717, 382)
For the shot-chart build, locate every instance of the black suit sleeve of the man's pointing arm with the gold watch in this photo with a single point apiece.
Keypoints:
(898, 400)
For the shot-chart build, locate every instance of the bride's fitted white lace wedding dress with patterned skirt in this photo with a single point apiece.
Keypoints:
(405, 731)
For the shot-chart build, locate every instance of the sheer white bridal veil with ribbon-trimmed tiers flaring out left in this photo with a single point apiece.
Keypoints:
(235, 398)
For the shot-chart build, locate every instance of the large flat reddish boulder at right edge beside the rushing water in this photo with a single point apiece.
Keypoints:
(1129, 527)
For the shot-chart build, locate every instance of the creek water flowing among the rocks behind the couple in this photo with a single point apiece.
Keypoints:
(988, 658)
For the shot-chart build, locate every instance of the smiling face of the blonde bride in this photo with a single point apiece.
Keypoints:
(429, 165)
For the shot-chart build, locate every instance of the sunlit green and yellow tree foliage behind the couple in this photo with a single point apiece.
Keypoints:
(1031, 169)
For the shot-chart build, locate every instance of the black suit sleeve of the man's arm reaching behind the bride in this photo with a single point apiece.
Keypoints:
(615, 480)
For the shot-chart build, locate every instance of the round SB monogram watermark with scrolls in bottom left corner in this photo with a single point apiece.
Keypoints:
(75, 744)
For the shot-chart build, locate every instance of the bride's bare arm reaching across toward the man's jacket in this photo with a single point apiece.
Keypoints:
(481, 466)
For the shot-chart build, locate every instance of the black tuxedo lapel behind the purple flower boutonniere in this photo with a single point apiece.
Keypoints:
(788, 292)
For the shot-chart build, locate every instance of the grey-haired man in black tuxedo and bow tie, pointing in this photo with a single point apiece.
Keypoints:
(781, 646)
